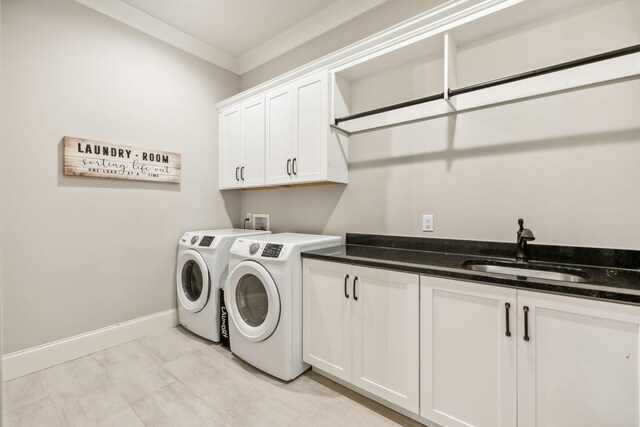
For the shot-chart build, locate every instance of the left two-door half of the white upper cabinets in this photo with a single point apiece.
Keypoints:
(242, 144)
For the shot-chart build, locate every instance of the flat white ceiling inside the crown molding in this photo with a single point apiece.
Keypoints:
(238, 35)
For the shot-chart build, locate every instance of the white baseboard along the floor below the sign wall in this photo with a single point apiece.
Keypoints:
(34, 359)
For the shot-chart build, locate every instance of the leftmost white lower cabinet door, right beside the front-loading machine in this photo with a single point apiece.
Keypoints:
(326, 312)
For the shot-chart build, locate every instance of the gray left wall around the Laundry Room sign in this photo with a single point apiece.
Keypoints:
(83, 253)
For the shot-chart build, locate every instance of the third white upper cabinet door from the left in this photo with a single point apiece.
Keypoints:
(279, 128)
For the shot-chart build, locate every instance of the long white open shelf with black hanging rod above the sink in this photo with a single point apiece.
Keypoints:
(470, 61)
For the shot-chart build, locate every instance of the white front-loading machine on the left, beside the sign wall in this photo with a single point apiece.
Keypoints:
(202, 268)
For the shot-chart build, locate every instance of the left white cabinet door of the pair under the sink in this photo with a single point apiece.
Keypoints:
(468, 353)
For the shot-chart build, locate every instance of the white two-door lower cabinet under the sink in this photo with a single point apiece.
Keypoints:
(567, 362)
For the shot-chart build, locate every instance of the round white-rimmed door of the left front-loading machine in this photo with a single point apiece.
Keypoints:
(193, 281)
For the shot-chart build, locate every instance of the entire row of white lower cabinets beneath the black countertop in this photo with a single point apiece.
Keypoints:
(482, 356)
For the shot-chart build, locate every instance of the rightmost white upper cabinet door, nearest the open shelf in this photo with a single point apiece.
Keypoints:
(311, 122)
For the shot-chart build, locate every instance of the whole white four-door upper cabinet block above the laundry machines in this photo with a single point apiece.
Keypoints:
(282, 138)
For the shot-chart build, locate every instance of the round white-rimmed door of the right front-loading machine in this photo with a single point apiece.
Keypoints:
(253, 301)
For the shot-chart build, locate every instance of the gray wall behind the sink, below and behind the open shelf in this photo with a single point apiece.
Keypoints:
(567, 164)
